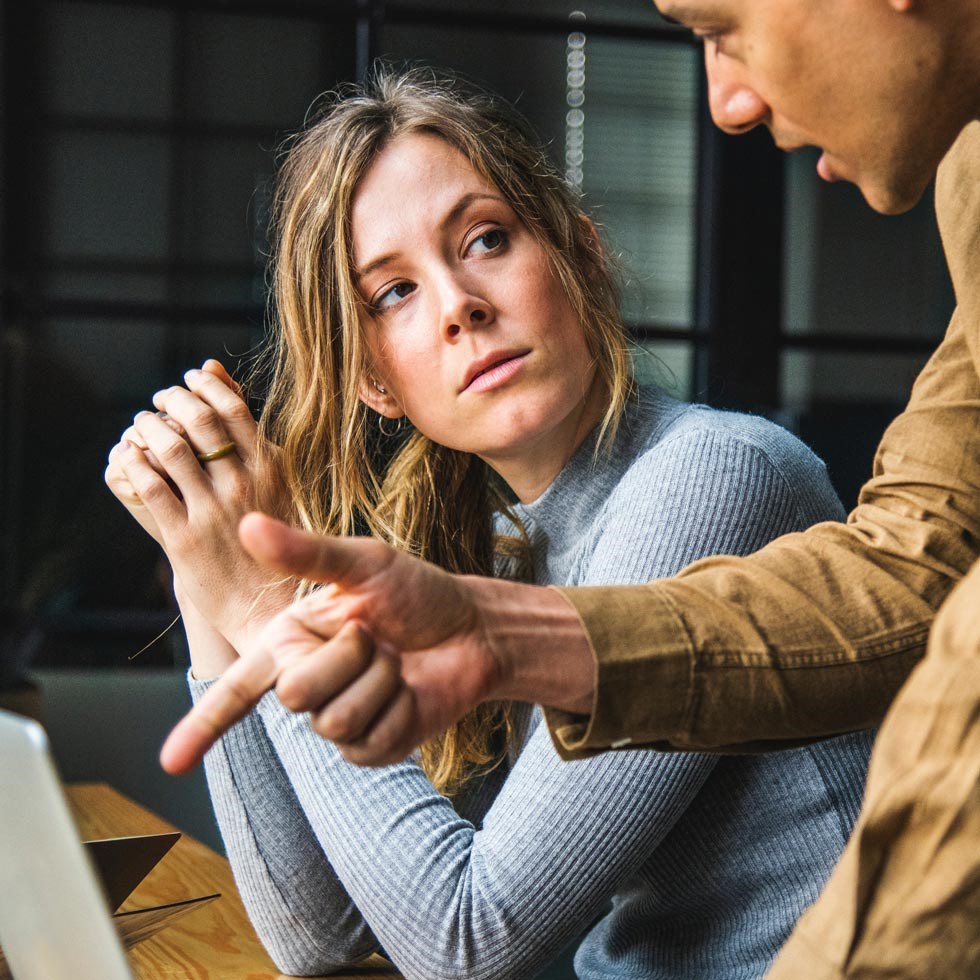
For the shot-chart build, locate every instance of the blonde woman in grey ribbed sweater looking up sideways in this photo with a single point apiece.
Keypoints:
(432, 269)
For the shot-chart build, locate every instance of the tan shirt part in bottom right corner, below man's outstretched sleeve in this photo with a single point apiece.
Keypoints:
(903, 900)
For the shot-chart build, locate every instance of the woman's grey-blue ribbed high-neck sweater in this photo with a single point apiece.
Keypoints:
(707, 862)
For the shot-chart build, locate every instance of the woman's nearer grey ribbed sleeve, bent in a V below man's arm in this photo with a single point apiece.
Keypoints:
(450, 899)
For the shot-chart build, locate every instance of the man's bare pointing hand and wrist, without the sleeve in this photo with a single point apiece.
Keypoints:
(439, 644)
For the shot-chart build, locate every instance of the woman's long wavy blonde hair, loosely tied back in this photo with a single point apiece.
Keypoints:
(431, 501)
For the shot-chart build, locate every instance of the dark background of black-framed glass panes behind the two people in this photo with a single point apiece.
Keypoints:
(138, 147)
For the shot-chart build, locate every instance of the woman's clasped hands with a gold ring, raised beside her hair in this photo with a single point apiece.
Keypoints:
(188, 473)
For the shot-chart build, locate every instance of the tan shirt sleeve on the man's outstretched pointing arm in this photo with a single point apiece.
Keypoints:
(813, 635)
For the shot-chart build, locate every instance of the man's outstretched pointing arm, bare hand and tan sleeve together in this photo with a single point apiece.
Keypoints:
(810, 636)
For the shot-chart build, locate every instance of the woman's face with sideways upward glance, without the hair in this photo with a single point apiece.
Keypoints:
(468, 328)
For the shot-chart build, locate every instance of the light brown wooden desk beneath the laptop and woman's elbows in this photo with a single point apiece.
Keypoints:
(214, 942)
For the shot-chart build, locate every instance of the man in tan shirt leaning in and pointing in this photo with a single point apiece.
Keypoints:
(813, 635)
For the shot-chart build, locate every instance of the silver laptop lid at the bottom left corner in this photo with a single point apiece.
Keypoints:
(54, 918)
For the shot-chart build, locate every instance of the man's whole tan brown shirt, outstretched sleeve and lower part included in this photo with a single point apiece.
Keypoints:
(817, 632)
